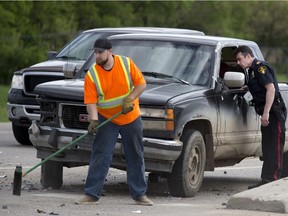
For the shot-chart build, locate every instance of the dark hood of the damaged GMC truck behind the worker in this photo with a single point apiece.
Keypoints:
(155, 93)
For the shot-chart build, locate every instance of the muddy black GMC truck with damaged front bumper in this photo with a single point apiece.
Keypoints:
(194, 113)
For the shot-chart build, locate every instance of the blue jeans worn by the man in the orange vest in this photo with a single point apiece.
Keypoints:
(102, 152)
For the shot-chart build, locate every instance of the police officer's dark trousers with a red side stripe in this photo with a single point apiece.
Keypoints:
(273, 138)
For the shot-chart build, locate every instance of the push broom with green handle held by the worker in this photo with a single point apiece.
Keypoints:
(18, 174)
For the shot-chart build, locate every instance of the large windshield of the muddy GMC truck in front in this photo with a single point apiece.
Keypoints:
(188, 62)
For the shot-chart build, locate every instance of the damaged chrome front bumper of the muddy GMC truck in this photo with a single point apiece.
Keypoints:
(159, 154)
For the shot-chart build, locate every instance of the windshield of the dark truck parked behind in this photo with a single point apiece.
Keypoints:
(80, 47)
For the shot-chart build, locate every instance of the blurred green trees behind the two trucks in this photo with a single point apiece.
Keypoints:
(30, 28)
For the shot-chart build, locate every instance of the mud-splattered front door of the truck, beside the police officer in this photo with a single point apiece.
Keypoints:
(238, 123)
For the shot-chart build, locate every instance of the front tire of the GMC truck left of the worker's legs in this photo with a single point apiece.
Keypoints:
(52, 174)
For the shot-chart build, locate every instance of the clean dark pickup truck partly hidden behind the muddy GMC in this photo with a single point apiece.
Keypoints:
(22, 105)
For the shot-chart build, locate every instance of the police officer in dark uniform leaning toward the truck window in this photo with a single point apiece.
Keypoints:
(263, 86)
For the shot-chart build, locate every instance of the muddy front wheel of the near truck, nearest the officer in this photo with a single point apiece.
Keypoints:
(188, 171)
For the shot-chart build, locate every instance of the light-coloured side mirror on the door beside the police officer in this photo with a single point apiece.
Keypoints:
(234, 79)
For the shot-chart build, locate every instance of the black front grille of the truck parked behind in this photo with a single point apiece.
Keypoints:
(32, 80)
